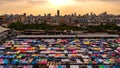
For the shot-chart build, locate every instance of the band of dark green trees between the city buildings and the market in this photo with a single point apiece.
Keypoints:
(44, 26)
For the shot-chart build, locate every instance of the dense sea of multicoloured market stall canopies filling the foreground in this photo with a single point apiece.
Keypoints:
(61, 53)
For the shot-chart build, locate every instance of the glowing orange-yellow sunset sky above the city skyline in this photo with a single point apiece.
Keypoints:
(37, 7)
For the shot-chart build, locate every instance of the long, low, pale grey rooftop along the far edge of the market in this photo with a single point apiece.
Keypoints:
(68, 36)
